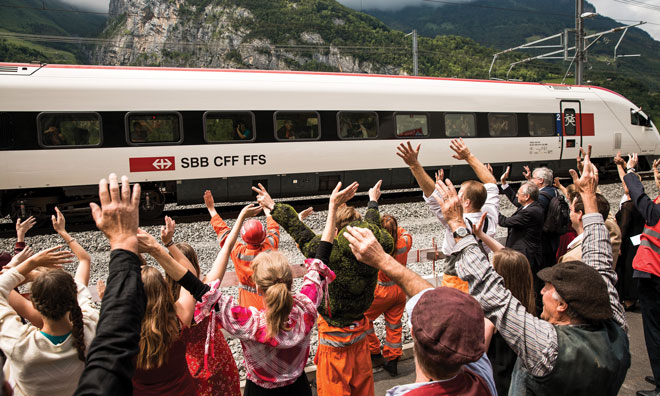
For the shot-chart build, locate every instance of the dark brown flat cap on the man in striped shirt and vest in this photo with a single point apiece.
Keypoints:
(582, 287)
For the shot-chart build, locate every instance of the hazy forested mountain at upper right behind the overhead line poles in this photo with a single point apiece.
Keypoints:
(503, 24)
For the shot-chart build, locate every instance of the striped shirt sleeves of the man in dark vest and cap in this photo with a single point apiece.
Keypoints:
(534, 340)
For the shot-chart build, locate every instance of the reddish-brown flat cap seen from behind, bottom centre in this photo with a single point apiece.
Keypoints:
(448, 326)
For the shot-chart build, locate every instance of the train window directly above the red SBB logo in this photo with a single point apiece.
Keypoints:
(150, 128)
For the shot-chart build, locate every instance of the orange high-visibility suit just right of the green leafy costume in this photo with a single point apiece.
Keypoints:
(390, 300)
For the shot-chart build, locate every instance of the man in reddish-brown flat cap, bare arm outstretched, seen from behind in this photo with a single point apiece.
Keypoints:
(447, 328)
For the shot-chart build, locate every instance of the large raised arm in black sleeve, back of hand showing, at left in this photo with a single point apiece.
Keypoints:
(111, 358)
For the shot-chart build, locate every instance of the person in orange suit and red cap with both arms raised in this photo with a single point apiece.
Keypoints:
(256, 239)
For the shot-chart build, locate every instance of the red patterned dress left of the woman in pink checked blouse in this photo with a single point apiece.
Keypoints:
(221, 375)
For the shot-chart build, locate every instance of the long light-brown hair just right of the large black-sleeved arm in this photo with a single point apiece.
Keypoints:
(160, 326)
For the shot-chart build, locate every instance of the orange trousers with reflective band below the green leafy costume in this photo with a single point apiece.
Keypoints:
(343, 359)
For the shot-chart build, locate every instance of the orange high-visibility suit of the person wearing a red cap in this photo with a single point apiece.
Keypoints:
(242, 256)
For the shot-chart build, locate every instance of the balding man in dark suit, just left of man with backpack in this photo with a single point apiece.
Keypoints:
(525, 229)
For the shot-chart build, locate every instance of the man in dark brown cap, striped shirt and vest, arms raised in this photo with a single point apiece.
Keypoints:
(580, 345)
